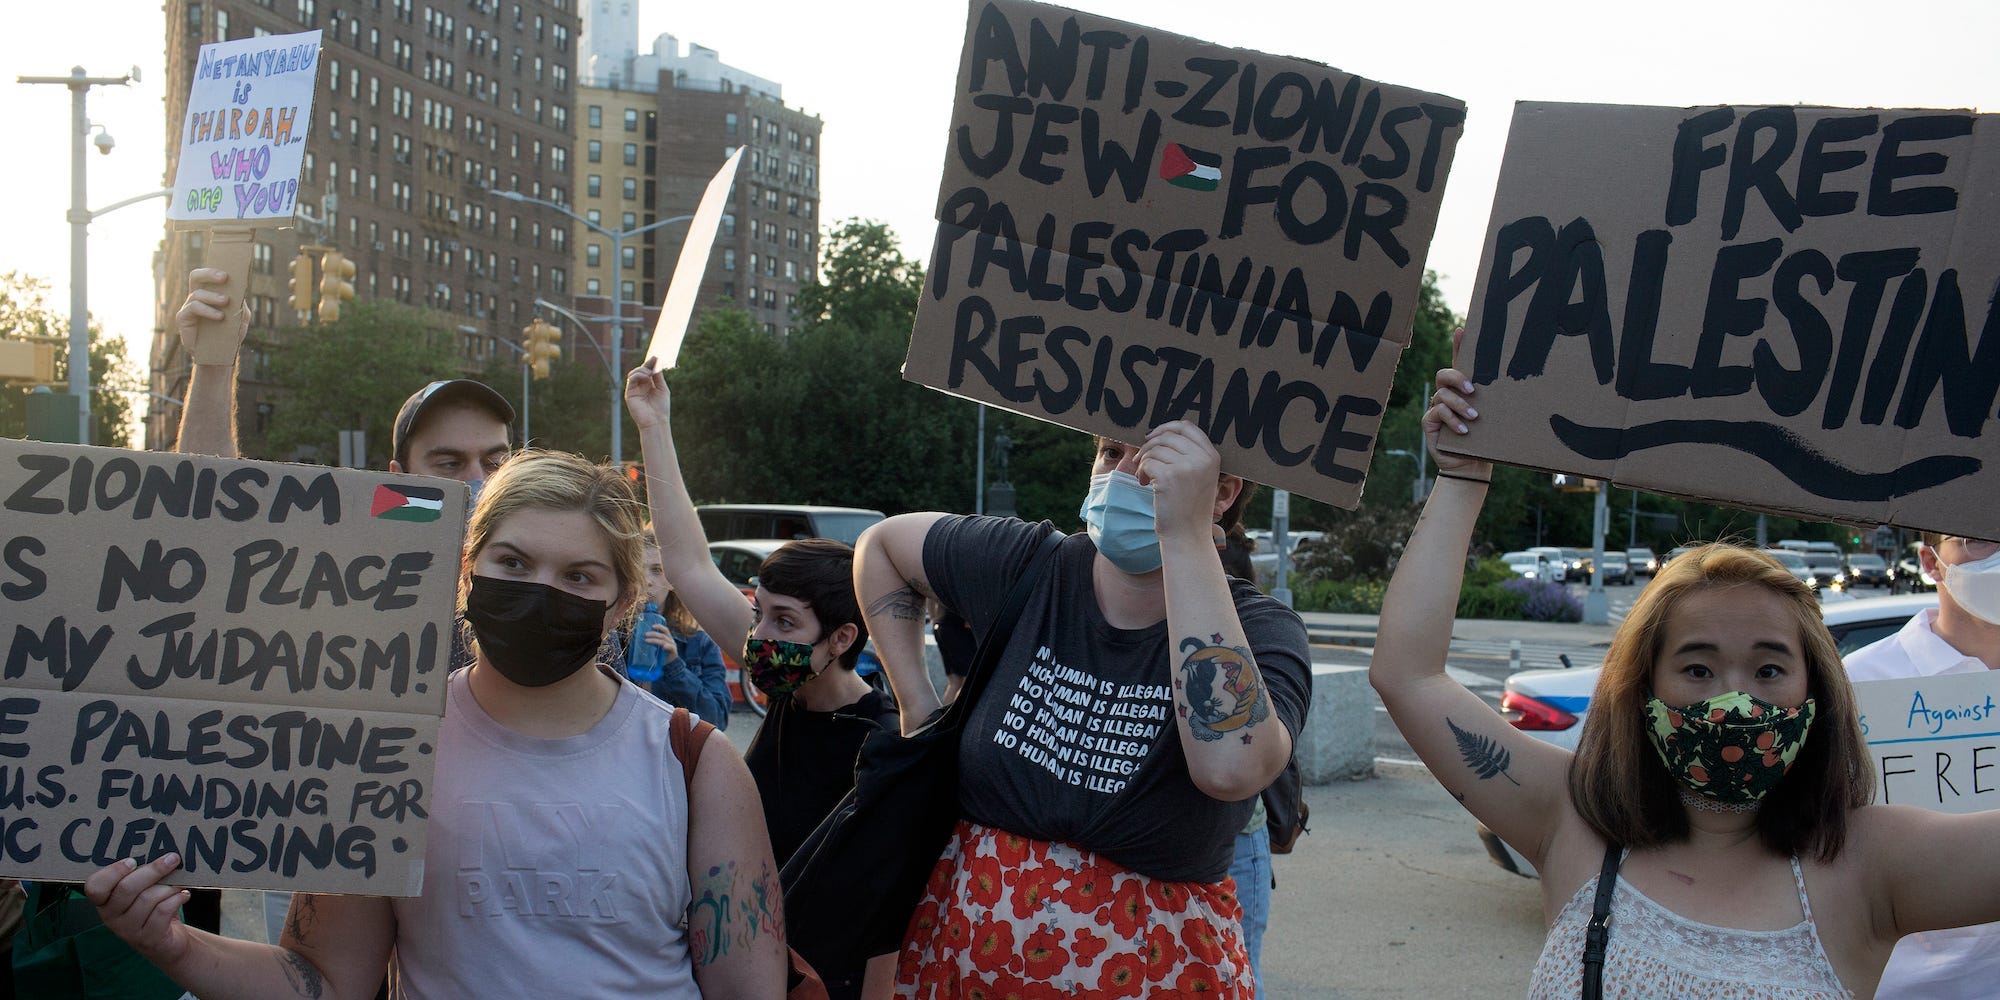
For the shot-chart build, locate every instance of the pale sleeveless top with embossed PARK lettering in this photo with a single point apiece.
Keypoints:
(553, 867)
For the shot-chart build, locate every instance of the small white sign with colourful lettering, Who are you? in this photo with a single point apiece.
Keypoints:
(243, 141)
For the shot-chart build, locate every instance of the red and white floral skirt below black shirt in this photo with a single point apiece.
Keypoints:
(1007, 919)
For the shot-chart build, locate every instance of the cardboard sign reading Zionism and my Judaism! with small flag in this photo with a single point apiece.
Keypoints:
(241, 663)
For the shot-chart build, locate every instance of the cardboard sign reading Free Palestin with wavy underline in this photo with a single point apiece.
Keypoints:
(1781, 309)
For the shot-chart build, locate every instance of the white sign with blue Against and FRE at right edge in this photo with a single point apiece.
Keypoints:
(1935, 739)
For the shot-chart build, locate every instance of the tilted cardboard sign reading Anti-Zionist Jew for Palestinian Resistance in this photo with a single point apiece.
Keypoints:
(1139, 227)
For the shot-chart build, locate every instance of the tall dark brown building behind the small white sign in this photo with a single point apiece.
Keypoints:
(425, 111)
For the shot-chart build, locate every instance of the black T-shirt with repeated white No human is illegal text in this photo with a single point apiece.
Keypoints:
(1073, 737)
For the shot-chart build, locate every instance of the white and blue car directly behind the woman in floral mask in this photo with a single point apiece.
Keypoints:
(1551, 705)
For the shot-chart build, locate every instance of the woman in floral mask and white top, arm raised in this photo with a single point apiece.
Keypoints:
(1721, 789)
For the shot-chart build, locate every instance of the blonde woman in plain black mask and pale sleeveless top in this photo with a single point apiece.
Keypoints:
(551, 761)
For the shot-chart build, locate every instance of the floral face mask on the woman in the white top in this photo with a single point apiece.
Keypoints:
(1731, 747)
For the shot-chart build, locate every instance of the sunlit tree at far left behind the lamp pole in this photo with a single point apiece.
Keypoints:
(115, 383)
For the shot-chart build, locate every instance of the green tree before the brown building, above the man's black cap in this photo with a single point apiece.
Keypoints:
(353, 375)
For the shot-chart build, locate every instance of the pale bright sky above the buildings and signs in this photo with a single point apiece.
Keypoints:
(881, 73)
